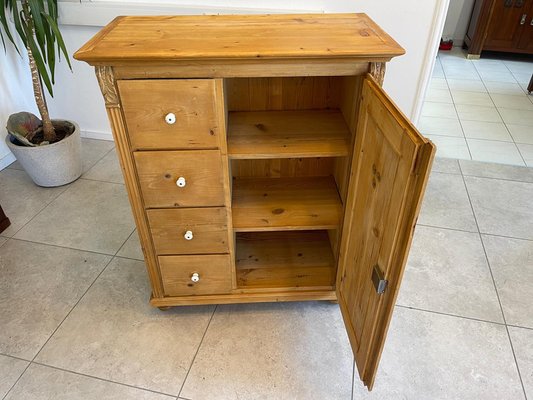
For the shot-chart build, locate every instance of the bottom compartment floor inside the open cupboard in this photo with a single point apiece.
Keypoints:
(284, 259)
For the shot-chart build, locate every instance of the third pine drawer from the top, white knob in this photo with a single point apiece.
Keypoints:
(189, 230)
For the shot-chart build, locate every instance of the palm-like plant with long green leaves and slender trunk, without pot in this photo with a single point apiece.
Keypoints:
(35, 24)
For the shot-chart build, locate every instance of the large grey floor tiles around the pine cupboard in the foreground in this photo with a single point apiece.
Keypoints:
(75, 321)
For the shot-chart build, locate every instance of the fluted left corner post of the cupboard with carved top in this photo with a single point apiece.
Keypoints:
(118, 127)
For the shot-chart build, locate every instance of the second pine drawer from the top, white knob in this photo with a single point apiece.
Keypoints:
(180, 178)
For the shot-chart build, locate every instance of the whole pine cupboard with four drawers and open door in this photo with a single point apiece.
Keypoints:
(264, 162)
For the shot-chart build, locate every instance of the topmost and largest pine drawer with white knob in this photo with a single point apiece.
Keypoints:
(170, 113)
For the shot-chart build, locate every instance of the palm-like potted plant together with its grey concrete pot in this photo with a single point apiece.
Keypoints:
(48, 150)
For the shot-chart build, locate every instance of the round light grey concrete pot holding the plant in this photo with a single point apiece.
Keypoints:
(53, 164)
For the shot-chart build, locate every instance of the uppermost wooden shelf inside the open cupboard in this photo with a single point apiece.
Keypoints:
(287, 134)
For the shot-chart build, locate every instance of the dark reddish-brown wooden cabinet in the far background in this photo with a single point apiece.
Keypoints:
(500, 25)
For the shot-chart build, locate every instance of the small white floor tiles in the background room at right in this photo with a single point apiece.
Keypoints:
(480, 109)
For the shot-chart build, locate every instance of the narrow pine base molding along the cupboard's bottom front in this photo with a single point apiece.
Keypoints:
(242, 298)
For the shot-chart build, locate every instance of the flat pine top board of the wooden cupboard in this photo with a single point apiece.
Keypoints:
(219, 37)
